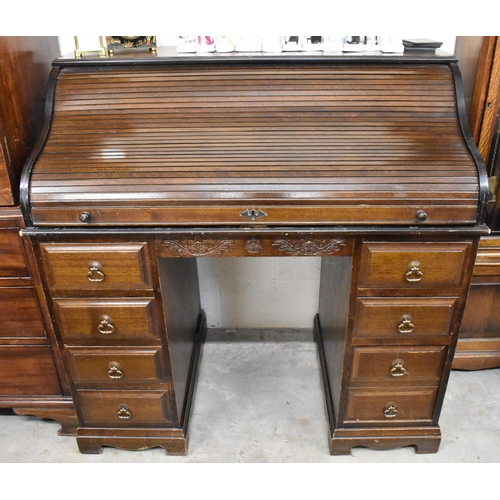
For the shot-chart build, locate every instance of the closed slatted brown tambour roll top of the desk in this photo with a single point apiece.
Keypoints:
(306, 143)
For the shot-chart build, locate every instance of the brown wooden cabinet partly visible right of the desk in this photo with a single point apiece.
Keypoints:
(479, 343)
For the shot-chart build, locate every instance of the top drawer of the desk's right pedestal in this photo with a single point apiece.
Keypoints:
(414, 266)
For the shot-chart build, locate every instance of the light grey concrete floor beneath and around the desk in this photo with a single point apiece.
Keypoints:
(259, 399)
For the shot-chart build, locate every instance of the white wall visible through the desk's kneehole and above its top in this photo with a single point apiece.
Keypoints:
(265, 292)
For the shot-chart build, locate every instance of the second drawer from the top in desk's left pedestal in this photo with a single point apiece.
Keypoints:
(107, 321)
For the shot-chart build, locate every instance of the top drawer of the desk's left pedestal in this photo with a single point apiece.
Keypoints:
(99, 267)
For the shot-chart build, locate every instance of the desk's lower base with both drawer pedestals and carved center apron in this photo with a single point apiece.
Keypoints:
(130, 329)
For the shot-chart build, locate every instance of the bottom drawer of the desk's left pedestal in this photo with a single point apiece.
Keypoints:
(126, 408)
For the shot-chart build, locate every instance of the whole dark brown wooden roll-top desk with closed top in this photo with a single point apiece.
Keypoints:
(150, 161)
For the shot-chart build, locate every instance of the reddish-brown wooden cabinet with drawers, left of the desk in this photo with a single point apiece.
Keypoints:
(31, 381)
